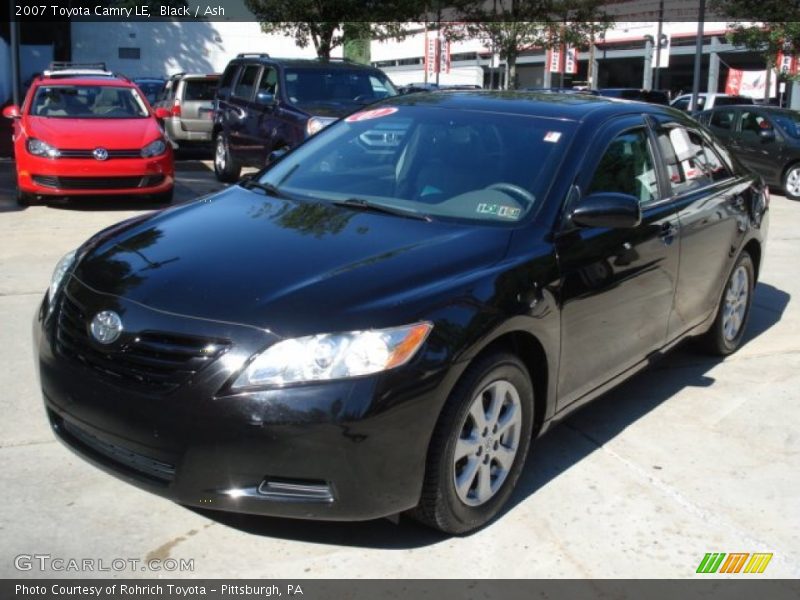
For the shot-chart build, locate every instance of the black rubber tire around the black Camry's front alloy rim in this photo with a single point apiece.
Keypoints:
(440, 505)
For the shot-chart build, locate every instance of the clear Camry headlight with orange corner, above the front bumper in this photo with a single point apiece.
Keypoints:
(334, 356)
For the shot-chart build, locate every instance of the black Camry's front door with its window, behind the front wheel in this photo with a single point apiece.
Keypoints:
(617, 285)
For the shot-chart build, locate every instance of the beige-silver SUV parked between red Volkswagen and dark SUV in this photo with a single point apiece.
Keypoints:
(189, 98)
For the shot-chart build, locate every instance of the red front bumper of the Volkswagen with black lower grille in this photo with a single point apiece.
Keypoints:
(89, 177)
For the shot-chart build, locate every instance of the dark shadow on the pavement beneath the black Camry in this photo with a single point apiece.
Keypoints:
(551, 455)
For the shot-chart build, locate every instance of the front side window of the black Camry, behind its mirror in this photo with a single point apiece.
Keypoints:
(627, 167)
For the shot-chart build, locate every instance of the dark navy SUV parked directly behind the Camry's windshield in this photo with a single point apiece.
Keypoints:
(267, 105)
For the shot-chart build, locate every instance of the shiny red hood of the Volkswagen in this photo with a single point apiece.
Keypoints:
(87, 134)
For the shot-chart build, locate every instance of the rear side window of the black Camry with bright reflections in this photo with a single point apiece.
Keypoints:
(690, 160)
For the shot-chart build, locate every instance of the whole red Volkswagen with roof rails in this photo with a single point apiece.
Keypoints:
(84, 131)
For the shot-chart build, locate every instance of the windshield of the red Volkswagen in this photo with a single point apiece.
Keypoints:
(88, 102)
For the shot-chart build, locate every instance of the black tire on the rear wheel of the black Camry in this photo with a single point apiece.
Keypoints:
(718, 340)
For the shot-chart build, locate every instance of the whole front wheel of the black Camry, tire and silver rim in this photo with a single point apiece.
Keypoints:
(479, 446)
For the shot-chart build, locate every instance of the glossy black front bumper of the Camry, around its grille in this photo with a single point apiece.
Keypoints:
(363, 440)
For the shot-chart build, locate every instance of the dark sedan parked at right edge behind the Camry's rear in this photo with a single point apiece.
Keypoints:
(765, 138)
